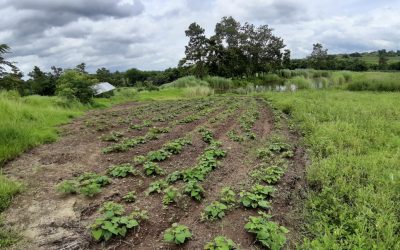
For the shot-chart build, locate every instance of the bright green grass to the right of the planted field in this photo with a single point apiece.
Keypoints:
(354, 178)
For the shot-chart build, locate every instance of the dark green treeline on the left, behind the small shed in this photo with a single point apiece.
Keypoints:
(76, 82)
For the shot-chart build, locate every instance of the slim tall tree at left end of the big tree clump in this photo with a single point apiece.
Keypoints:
(196, 50)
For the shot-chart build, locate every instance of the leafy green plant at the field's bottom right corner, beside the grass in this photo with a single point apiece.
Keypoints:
(268, 233)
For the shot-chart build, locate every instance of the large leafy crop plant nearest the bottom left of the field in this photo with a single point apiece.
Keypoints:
(113, 222)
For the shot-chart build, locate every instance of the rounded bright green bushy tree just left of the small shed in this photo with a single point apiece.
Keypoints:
(75, 85)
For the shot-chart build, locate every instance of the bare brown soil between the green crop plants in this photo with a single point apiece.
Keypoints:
(49, 220)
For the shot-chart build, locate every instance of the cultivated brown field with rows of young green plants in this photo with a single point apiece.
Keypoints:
(209, 164)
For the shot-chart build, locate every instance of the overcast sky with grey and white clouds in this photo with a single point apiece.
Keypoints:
(149, 34)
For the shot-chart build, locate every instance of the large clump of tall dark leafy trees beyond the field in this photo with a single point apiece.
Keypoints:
(234, 49)
